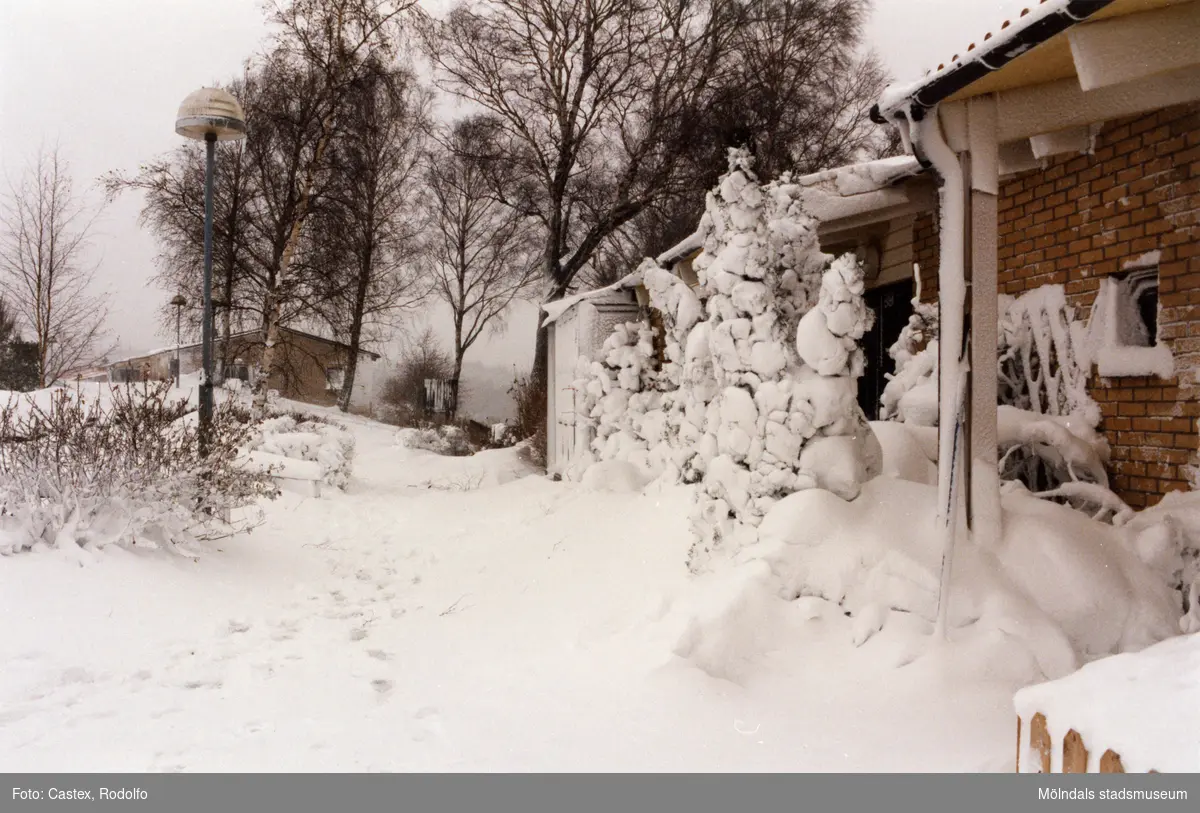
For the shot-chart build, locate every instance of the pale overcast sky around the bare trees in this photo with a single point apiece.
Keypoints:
(104, 79)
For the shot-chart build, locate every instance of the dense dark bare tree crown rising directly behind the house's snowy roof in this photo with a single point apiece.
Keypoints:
(795, 91)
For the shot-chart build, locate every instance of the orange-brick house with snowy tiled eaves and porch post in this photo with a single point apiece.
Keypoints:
(1076, 133)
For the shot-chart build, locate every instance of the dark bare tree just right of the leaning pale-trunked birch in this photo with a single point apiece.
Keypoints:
(367, 236)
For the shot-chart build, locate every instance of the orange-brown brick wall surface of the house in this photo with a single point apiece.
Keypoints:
(1081, 219)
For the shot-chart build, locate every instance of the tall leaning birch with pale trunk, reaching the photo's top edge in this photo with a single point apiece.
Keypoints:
(327, 46)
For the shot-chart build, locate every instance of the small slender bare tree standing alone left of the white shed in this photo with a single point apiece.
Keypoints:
(481, 258)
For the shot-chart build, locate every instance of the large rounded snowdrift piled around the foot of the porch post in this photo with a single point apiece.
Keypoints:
(1060, 591)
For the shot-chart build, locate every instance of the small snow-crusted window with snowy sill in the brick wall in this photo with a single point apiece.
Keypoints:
(1124, 327)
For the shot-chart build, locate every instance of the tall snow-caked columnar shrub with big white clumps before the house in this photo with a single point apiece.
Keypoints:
(783, 347)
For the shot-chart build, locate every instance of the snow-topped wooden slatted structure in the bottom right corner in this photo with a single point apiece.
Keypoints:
(1136, 713)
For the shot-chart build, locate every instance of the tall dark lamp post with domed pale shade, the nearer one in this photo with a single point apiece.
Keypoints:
(212, 116)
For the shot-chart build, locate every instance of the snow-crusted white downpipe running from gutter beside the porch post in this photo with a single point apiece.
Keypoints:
(929, 144)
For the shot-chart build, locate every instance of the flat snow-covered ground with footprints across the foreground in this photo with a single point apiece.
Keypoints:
(461, 627)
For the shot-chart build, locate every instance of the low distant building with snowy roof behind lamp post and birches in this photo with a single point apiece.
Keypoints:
(310, 369)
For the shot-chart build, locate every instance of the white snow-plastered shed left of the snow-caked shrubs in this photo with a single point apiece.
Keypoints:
(577, 328)
